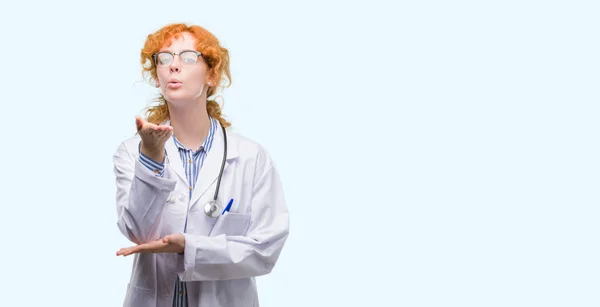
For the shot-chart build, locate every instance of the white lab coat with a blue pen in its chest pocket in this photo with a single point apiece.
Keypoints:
(222, 255)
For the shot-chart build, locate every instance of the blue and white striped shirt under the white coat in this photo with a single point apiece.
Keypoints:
(192, 163)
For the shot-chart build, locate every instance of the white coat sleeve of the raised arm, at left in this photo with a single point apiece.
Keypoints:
(143, 187)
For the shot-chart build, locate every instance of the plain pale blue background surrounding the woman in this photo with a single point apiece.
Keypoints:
(433, 153)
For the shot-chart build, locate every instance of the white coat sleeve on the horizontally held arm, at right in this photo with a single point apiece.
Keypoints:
(231, 257)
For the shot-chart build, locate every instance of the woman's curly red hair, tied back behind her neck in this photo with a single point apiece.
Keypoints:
(215, 56)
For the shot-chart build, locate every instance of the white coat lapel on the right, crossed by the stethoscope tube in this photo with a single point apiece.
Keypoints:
(209, 173)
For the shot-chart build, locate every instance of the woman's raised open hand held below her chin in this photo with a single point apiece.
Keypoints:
(153, 137)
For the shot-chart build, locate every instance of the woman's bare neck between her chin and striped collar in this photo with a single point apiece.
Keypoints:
(190, 124)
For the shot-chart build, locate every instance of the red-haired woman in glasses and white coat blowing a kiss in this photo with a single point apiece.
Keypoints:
(188, 251)
